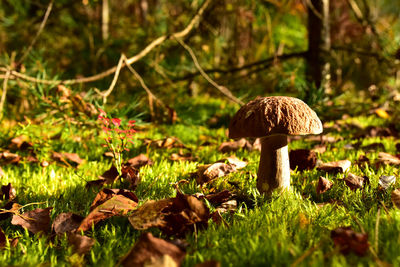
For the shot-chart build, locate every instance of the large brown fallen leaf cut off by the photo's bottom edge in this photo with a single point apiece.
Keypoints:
(149, 249)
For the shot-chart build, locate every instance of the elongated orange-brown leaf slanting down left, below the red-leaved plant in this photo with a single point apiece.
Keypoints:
(118, 205)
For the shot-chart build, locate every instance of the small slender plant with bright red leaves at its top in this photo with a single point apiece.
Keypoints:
(118, 137)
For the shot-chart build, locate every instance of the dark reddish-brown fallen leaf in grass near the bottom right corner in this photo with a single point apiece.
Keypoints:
(349, 241)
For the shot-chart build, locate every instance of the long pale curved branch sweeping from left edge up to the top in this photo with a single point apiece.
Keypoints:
(195, 20)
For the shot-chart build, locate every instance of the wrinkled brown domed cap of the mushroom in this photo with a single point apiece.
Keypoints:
(266, 116)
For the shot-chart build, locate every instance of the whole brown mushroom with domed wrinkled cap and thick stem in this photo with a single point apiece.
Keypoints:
(273, 119)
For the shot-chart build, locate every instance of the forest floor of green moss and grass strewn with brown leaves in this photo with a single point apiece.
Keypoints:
(344, 215)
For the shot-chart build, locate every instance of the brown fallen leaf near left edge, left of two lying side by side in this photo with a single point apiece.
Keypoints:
(37, 220)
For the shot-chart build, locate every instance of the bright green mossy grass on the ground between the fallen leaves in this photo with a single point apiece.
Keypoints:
(275, 231)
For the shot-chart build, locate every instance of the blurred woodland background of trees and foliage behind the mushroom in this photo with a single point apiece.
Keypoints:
(339, 56)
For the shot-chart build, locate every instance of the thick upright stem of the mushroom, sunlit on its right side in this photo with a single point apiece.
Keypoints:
(273, 170)
